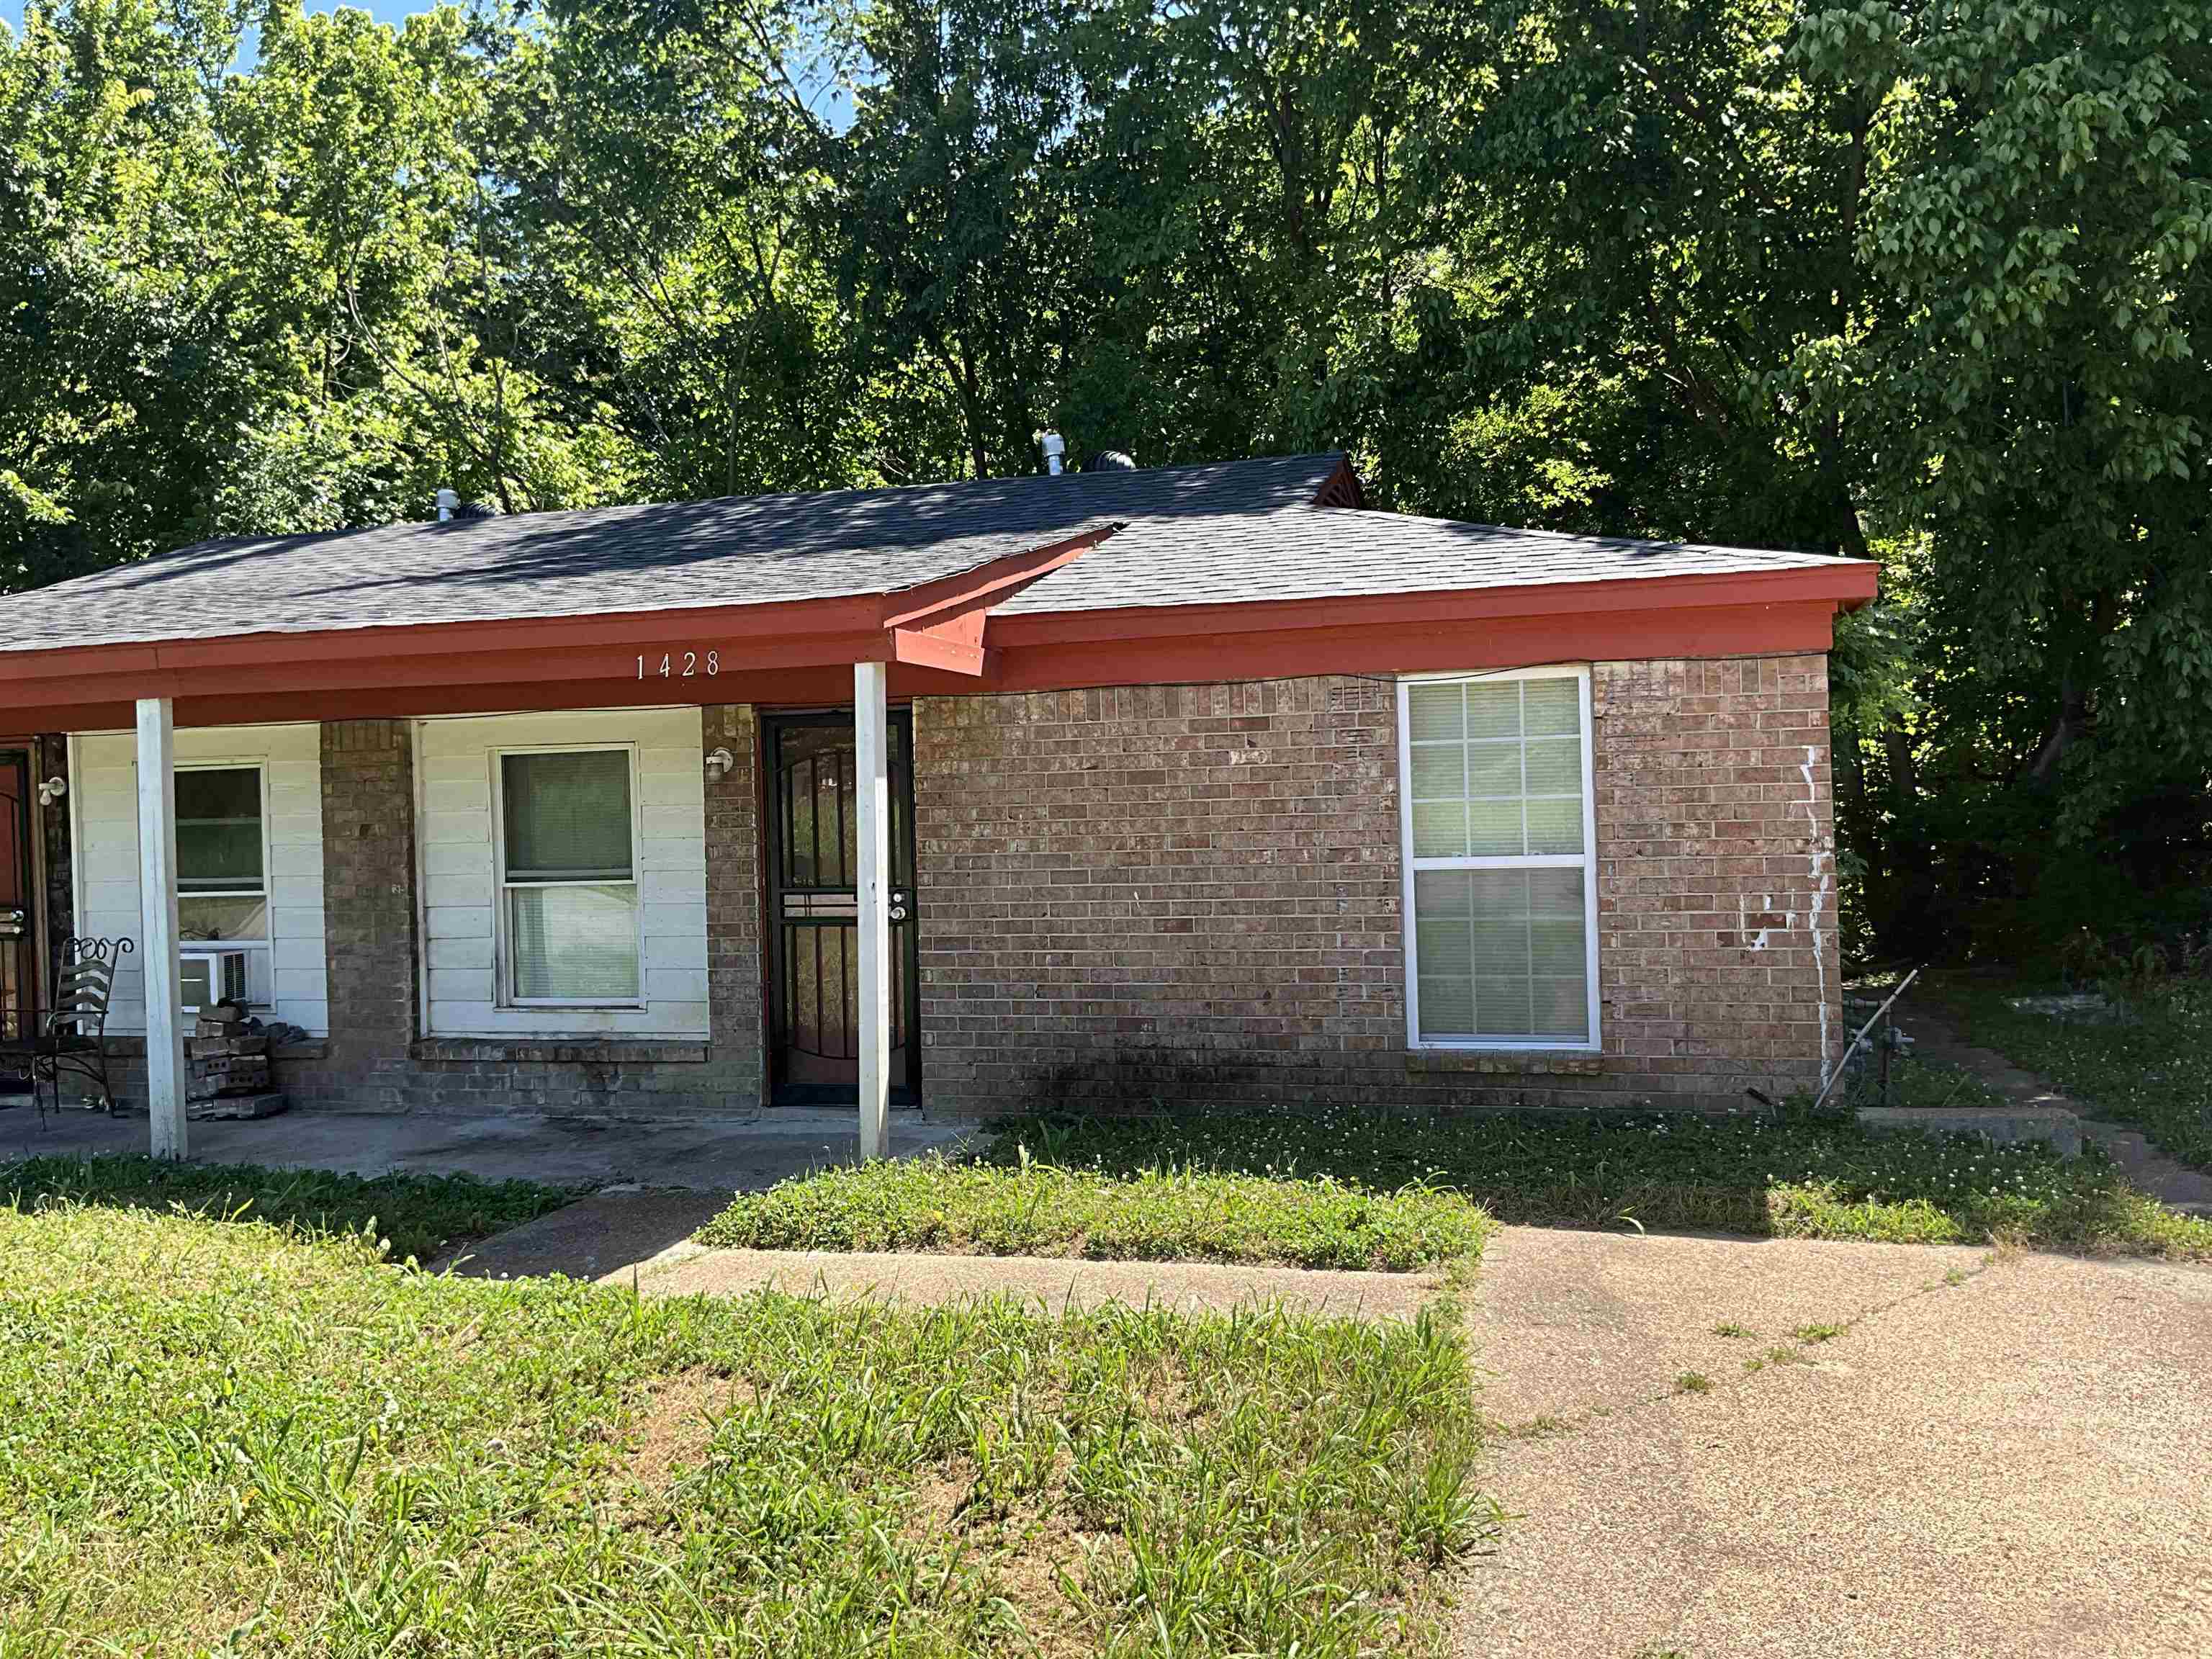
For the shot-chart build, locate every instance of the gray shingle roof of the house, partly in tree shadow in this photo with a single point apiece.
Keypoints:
(1189, 534)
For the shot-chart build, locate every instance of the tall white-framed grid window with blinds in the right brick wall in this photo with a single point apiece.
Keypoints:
(1501, 859)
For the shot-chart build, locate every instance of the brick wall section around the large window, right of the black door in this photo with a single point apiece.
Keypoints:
(1193, 895)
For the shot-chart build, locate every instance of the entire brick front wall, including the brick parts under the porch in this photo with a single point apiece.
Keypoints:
(1182, 895)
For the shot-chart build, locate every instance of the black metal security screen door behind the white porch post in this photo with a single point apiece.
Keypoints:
(815, 941)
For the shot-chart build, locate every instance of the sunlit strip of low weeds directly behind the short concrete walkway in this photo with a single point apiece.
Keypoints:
(1012, 1204)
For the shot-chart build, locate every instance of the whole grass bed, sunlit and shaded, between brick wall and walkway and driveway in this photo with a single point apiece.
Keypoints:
(1397, 1191)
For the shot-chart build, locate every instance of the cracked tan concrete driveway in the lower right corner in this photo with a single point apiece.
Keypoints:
(1992, 1457)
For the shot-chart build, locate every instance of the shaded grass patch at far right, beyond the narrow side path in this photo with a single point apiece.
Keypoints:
(2151, 1070)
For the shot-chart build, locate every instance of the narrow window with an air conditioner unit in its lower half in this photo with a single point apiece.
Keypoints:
(225, 884)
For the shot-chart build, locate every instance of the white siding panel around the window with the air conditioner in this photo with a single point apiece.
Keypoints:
(103, 800)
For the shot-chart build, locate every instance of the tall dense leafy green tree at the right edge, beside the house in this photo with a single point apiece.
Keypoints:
(2036, 439)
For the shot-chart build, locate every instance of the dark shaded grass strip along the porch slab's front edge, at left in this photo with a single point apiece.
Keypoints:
(415, 1215)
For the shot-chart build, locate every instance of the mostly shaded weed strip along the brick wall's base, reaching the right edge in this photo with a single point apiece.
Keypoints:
(1793, 1176)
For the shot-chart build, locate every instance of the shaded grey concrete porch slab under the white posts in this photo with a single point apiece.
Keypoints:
(709, 1154)
